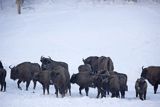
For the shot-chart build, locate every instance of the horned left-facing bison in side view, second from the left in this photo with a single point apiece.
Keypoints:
(24, 72)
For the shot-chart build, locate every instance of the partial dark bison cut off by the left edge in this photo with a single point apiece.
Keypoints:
(2, 79)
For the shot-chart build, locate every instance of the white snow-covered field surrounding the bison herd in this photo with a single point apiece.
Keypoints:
(68, 31)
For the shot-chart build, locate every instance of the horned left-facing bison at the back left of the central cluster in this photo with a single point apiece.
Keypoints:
(93, 61)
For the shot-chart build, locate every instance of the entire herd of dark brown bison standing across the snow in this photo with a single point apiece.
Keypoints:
(97, 72)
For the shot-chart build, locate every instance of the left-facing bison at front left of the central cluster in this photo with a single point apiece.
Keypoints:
(84, 80)
